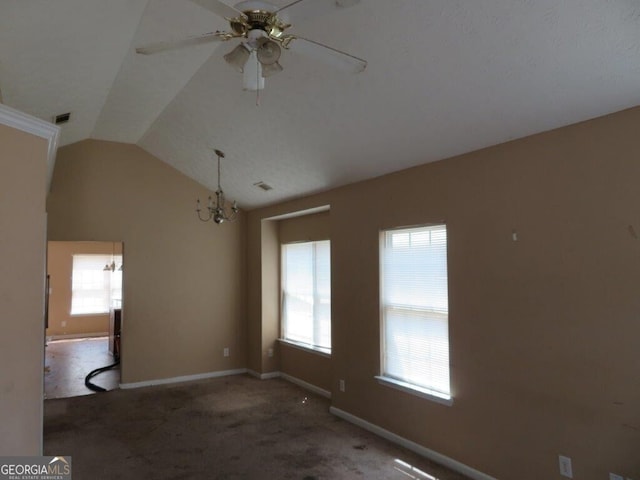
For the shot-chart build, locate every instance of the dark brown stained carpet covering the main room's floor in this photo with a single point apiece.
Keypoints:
(226, 428)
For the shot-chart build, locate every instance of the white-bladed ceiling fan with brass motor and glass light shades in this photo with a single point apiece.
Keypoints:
(262, 27)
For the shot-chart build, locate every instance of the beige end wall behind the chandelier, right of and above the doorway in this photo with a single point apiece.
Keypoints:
(183, 299)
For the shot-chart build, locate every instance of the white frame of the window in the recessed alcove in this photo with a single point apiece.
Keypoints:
(314, 347)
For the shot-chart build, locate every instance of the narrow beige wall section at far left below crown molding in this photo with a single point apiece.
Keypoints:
(23, 170)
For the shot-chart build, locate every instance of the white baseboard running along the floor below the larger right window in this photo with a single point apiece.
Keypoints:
(414, 447)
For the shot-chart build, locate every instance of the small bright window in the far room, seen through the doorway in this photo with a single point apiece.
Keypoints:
(92, 287)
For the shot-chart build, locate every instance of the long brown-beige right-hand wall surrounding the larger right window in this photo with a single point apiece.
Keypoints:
(544, 331)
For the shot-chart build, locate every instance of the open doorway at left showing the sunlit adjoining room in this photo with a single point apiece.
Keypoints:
(83, 313)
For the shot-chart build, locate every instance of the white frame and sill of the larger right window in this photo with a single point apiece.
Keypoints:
(435, 395)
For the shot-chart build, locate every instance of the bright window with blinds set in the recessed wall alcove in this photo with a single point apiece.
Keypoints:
(306, 294)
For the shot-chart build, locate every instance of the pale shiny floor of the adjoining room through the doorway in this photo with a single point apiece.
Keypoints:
(67, 363)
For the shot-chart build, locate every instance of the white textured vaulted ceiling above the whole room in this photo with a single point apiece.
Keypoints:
(444, 77)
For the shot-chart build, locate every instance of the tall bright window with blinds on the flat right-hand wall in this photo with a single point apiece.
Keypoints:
(415, 310)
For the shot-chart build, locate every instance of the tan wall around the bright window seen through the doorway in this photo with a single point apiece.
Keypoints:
(60, 270)
